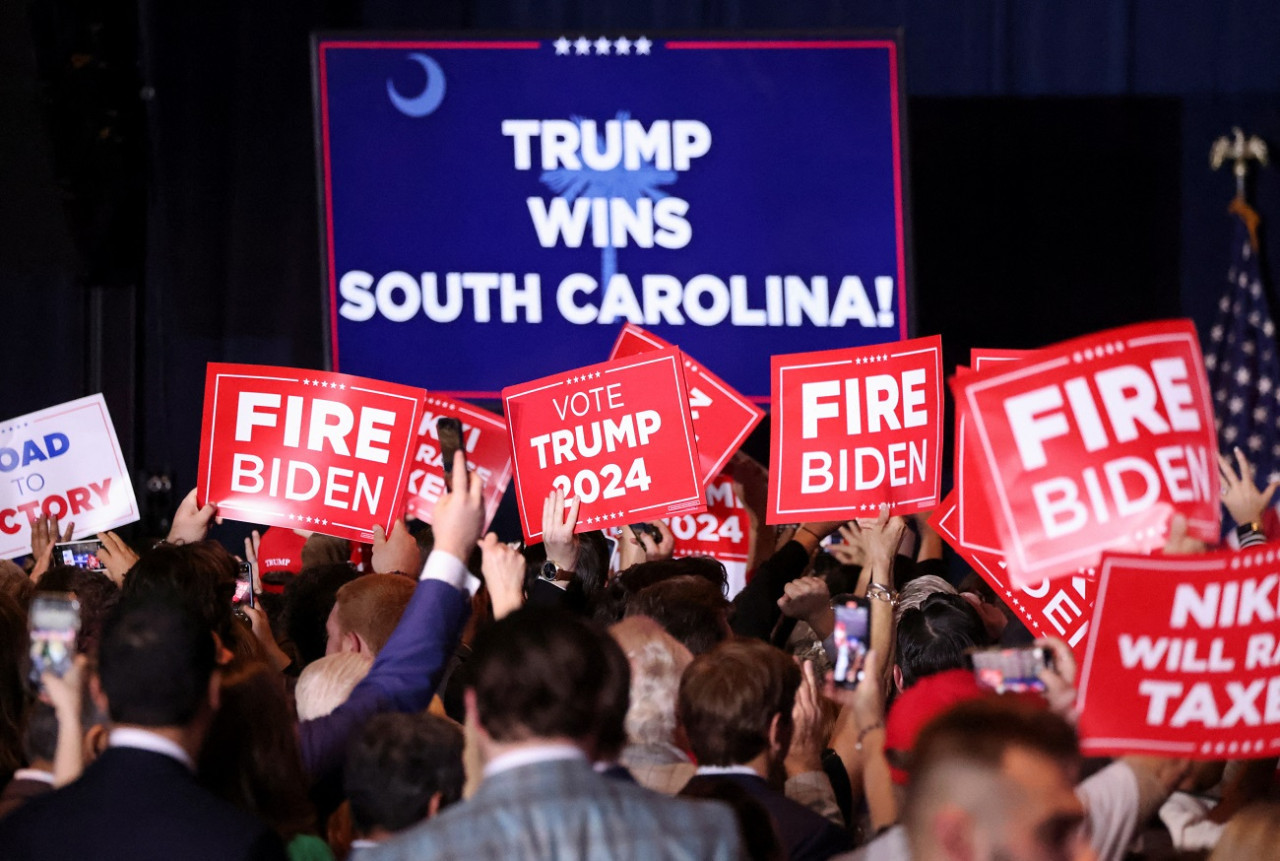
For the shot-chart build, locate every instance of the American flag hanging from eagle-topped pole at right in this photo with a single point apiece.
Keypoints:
(1244, 367)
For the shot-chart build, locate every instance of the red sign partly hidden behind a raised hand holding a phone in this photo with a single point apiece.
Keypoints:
(488, 447)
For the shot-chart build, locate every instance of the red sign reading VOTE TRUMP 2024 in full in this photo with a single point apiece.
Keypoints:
(616, 436)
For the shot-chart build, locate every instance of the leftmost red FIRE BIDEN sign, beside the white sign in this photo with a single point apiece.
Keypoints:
(312, 450)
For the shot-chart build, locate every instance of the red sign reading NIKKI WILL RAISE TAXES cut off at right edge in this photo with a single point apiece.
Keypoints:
(1183, 657)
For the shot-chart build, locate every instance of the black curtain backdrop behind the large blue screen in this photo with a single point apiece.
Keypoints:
(159, 181)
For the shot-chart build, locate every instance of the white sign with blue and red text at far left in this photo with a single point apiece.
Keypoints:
(62, 462)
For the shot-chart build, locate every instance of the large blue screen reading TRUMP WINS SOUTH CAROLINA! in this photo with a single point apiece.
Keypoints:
(496, 209)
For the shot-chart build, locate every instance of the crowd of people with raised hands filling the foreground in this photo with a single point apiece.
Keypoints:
(449, 695)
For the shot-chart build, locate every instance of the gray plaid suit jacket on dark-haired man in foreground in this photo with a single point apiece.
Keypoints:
(564, 810)
